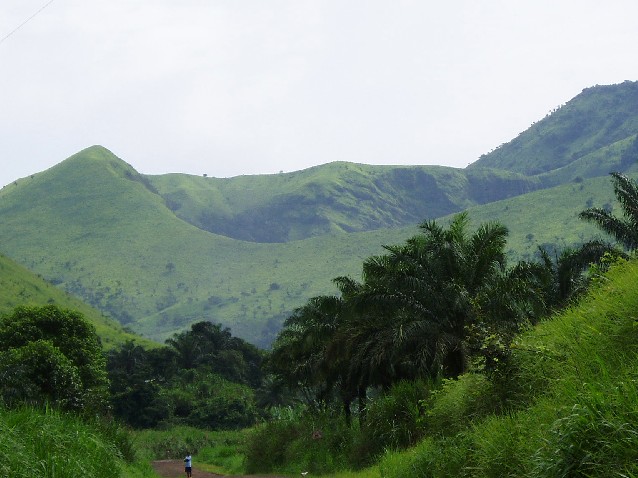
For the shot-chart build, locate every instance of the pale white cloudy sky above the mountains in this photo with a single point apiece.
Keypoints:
(230, 87)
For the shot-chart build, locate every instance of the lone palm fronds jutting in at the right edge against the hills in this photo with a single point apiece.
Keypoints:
(624, 230)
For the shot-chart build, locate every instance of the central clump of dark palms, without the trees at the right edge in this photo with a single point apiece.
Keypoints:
(410, 316)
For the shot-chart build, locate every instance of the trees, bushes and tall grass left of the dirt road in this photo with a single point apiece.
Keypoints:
(64, 401)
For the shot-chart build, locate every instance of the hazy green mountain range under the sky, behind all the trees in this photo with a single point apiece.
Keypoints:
(158, 253)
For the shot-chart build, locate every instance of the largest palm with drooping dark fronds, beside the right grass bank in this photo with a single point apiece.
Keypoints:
(419, 298)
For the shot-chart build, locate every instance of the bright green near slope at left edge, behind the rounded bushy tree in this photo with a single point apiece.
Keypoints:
(19, 286)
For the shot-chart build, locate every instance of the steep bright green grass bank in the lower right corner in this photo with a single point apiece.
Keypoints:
(573, 395)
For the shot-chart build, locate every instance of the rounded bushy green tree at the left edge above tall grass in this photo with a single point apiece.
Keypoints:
(62, 354)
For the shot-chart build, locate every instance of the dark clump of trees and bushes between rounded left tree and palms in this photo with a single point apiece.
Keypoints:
(204, 377)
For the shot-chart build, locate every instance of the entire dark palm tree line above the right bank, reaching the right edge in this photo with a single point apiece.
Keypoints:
(441, 303)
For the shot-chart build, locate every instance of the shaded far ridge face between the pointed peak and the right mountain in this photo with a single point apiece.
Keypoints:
(336, 197)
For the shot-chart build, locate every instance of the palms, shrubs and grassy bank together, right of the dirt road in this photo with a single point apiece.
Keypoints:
(471, 377)
